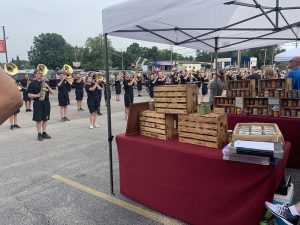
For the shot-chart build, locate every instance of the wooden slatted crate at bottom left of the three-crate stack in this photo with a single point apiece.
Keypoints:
(158, 125)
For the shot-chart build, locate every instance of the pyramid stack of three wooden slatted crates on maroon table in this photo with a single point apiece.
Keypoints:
(175, 114)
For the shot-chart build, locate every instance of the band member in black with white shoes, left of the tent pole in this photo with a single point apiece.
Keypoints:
(91, 89)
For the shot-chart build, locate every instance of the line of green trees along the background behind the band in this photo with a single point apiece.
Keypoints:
(53, 50)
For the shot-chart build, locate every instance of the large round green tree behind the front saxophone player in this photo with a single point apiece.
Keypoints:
(50, 49)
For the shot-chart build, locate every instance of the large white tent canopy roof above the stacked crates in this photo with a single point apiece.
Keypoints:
(203, 24)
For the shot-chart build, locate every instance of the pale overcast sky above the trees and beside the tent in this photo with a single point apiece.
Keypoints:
(74, 20)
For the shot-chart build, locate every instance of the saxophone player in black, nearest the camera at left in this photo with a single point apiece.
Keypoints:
(39, 91)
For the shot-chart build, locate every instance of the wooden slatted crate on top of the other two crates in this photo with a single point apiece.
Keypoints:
(176, 99)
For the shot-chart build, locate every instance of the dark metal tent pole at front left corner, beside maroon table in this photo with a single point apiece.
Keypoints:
(108, 94)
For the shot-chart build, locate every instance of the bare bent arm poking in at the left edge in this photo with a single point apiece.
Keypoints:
(10, 97)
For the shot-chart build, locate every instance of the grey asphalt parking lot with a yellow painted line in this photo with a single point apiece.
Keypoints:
(65, 180)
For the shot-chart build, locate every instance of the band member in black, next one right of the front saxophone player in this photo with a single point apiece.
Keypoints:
(63, 96)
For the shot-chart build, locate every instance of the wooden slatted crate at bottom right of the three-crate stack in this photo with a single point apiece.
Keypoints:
(208, 130)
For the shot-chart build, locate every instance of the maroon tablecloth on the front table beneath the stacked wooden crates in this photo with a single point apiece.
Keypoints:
(194, 184)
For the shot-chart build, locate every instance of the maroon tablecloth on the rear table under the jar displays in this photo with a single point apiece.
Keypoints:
(290, 128)
